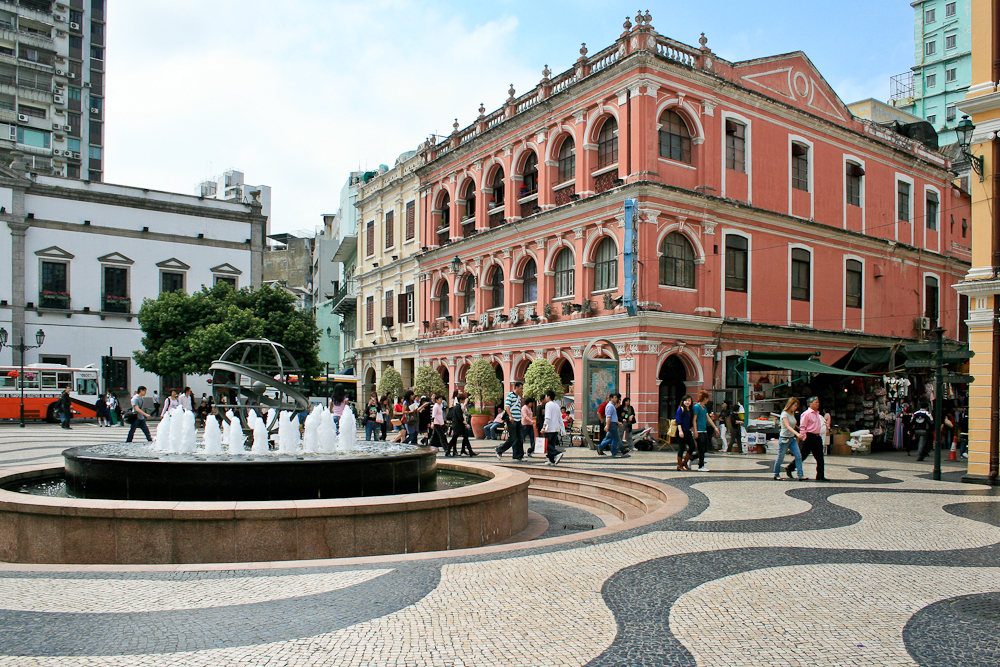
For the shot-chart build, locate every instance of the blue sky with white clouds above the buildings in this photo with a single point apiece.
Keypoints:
(298, 93)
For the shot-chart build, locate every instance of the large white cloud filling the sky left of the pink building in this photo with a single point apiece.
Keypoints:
(295, 94)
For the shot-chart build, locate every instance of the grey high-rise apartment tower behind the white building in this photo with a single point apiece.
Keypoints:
(52, 56)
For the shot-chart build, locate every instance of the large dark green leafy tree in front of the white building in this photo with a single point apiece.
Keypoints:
(184, 333)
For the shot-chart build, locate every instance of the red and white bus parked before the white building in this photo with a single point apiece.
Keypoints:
(43, 384)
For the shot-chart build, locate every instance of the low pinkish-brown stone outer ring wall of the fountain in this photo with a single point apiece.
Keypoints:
(39, 529)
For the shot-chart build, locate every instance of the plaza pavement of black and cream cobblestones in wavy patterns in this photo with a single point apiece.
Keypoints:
(879, 566)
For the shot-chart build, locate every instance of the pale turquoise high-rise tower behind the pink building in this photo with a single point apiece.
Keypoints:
(943, 65)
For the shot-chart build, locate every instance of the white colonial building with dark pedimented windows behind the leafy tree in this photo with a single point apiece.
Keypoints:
(77, 259)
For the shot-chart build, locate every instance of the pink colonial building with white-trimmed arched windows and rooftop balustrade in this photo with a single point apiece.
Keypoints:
(770, 219)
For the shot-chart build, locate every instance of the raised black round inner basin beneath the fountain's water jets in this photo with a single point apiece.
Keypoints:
(91, 472)
